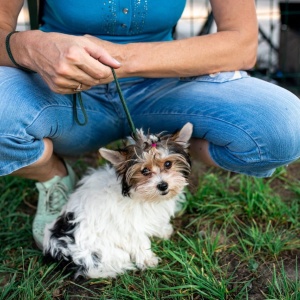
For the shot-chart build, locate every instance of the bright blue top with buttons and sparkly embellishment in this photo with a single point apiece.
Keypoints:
(119, 21)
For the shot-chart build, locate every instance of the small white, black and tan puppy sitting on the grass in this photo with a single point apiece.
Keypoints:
(105, 227)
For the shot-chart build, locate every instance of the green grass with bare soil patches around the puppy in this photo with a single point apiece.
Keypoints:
(237, 237)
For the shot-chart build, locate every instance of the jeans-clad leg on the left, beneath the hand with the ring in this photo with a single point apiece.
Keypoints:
(30, 112)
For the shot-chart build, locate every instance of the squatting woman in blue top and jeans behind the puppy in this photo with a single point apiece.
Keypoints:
(241, 124)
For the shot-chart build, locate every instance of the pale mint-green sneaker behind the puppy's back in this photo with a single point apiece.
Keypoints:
(53, 195)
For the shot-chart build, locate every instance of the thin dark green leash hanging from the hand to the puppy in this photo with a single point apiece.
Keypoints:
(78, 95)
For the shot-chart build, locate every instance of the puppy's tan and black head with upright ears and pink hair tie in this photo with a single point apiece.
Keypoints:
(153, 167)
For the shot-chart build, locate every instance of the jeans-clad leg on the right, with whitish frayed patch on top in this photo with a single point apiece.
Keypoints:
(252, 126)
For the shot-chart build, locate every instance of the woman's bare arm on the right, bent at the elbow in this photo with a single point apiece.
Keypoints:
(233, 47)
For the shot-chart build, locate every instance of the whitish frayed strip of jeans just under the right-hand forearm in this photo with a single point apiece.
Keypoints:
(218, 77)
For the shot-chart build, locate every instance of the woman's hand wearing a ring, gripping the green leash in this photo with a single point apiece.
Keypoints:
(64, 61)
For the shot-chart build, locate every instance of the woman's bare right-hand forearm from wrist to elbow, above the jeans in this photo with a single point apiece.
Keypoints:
(223, 51)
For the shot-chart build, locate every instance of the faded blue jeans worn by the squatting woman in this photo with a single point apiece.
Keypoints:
(252, 126)
